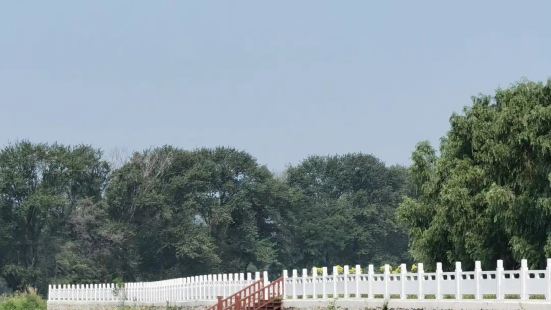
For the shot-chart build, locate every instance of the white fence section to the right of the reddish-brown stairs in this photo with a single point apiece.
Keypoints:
(497, 284)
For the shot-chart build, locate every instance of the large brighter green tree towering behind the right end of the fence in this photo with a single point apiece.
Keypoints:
(487, 196)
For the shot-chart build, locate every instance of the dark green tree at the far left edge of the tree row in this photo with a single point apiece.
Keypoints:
(40, 186)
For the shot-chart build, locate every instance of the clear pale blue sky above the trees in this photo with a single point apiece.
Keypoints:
(281, 80)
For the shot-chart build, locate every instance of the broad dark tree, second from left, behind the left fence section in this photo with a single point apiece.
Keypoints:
(188, 212)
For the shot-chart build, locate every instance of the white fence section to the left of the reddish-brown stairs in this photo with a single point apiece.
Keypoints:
(173, 291)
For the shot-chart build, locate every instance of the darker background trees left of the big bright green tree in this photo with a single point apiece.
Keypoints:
(65, 217)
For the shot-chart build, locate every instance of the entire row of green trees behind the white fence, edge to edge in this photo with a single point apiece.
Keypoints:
(68, 216)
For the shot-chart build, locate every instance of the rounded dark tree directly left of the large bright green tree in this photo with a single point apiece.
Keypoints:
(346, 213)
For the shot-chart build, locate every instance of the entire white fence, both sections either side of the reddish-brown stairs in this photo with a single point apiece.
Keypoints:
(499, 284)
